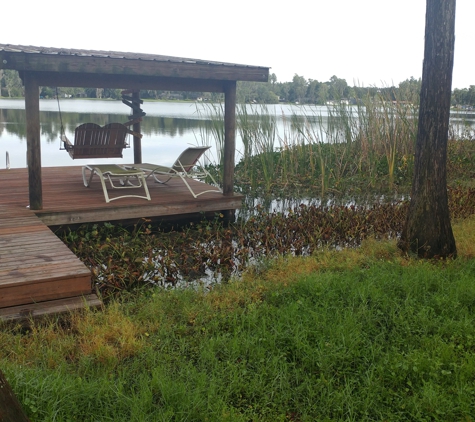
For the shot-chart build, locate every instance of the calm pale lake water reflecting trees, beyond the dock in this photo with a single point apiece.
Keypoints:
(168, 128)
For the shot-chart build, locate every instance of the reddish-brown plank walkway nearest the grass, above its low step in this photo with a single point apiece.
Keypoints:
(35, 265)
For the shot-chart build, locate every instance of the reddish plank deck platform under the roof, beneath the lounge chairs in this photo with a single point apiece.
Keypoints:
(67, 201)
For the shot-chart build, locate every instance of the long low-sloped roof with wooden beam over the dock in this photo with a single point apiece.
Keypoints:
(113, 69)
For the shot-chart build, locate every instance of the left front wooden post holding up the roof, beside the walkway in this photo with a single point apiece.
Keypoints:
(33, 139)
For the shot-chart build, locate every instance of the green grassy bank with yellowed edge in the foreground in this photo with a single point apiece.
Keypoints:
(357, 334)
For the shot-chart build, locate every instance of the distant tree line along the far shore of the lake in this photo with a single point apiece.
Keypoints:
(299, 90)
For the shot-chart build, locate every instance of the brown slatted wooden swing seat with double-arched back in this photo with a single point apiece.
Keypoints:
(94, 141)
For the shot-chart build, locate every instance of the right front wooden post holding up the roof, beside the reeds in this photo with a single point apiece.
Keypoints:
(229, 137)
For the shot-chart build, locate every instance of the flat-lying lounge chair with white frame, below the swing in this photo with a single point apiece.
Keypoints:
(113, 171)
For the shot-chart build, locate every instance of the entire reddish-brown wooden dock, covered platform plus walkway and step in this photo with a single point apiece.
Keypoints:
(38, 273)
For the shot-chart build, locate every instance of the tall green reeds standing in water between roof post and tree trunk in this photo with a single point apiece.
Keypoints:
(368, 141)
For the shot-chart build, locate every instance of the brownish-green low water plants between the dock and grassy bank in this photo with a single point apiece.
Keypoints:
(143, 256)
